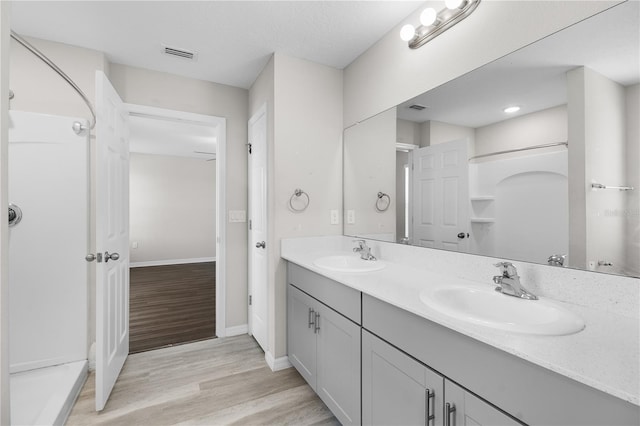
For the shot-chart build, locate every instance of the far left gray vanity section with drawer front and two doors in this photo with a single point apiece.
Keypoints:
(324, 345)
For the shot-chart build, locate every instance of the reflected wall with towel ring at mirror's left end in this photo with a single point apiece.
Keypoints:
(369, 168)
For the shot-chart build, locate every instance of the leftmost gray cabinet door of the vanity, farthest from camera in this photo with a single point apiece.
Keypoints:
(301, 337)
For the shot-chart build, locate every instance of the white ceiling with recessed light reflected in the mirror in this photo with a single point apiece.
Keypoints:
(535, 76)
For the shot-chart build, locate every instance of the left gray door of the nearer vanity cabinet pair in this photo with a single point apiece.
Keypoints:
(395, 386)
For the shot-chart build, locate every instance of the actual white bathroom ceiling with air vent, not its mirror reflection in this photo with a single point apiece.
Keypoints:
(233, 39)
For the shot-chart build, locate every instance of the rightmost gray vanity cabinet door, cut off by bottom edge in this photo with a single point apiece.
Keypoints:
(469, 410)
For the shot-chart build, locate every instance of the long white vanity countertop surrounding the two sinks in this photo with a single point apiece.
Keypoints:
(605, 355)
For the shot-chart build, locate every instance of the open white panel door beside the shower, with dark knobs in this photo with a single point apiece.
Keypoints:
(112, 238)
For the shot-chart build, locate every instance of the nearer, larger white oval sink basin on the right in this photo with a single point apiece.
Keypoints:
(487, 307)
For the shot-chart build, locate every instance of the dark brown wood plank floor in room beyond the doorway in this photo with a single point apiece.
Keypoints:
(171, 304)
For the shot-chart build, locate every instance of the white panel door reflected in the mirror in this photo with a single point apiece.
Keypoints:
(441, 196)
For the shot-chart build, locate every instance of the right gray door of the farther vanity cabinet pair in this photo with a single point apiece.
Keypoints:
(339, 365)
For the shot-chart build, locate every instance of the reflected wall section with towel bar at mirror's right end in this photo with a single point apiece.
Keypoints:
(598, 148)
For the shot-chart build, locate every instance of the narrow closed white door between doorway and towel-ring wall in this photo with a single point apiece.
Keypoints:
(258, 250)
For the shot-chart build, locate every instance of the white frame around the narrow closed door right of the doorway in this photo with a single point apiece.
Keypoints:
(262, 110)
